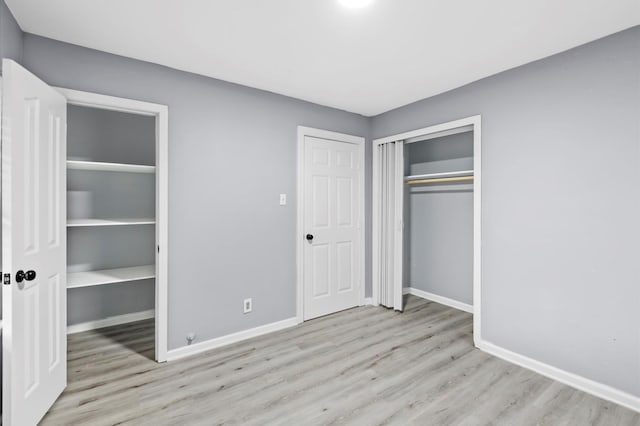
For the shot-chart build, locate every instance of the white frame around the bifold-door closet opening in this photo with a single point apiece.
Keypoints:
(473, 123)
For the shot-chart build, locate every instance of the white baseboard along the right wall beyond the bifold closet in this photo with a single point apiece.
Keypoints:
(587, 385)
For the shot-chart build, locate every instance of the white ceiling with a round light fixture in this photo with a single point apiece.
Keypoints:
(366, 61)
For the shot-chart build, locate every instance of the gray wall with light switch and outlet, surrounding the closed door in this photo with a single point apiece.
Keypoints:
(232, 151)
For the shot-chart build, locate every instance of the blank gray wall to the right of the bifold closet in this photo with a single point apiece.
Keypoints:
(560, 205)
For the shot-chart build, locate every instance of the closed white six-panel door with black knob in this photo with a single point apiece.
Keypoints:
(332, 250)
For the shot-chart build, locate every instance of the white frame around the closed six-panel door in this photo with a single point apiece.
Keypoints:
(337, 137)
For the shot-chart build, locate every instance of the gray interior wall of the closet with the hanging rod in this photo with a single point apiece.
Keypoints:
(438, 218)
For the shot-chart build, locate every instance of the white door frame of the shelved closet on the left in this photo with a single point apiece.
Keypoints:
(161, 114)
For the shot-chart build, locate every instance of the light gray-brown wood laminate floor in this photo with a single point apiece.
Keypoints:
(364, 366)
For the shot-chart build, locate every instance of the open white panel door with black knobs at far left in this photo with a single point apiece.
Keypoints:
(34, 302)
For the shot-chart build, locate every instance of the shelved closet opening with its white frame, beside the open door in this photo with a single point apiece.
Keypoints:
(116, 222)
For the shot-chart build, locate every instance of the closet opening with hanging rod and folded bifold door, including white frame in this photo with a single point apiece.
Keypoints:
(427, 217)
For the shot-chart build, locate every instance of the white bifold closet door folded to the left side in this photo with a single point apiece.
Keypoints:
(389, 189)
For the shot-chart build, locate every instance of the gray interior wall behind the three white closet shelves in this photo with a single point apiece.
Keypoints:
(112, 137)
